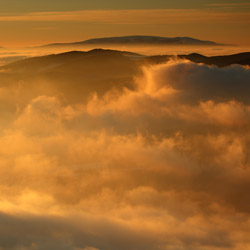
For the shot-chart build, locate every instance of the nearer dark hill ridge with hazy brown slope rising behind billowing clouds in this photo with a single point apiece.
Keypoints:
(74, 75)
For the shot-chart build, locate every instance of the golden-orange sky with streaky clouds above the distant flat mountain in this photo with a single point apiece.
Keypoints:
(27, 23)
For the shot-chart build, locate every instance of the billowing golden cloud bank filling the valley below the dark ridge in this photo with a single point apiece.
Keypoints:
(163, 165)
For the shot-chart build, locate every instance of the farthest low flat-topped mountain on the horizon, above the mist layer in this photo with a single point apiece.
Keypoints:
(136, 40)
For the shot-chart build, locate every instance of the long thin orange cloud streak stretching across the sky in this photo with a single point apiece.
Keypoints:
(154, 16)
